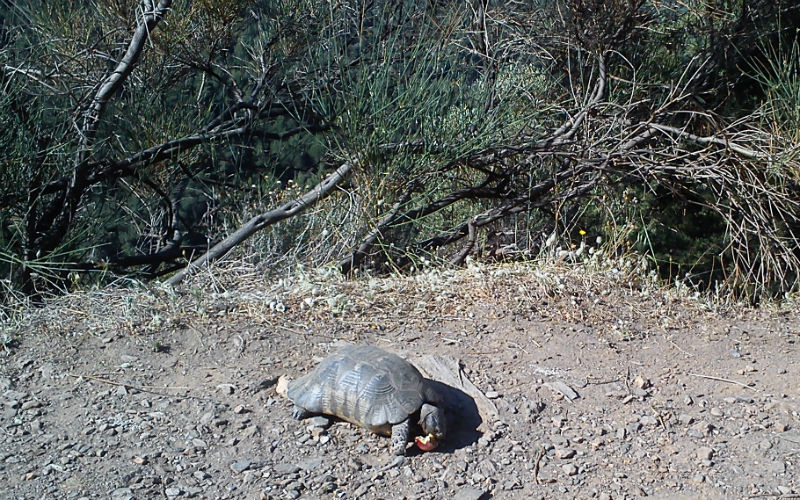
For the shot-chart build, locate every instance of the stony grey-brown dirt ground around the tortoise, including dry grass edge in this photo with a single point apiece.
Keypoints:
(604, 387)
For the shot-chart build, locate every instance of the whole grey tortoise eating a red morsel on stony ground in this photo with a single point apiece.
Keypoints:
(375, 389)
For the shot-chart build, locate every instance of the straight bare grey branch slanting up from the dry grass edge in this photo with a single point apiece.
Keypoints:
(266, 219)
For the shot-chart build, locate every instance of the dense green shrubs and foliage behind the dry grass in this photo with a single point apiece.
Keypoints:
(432, 100)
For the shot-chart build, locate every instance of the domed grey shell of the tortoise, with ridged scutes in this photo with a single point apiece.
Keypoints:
(364, 385)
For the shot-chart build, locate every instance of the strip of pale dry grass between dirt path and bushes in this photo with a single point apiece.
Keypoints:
(616, 299)
